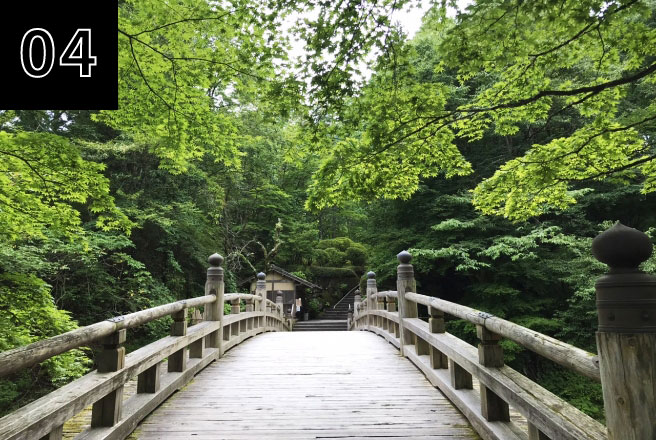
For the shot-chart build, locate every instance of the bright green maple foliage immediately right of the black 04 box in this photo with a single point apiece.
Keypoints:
(180, 77)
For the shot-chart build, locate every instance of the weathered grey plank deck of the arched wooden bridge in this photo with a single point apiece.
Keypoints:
(308, 385)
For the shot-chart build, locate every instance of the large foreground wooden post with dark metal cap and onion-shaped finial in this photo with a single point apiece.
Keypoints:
(626, 336)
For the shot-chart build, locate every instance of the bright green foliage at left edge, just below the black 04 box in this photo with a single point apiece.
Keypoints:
(42, 175)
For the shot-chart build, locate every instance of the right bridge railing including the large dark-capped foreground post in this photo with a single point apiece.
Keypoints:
(626, 340)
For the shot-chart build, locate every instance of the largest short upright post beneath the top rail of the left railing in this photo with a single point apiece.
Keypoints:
(107, 411)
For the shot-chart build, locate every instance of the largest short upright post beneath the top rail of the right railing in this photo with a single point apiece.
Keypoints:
(490, 354)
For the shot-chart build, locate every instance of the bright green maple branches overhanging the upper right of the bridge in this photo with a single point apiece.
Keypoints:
(460, 81)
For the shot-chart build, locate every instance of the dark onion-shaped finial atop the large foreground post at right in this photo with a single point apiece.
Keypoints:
(621, 247)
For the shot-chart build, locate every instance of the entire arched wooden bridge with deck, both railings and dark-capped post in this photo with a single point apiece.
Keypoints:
(244, 375)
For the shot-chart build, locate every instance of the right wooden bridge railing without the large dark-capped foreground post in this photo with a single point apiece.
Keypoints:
(432, 350)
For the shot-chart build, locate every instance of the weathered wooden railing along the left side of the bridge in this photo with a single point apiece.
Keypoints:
(188, 350)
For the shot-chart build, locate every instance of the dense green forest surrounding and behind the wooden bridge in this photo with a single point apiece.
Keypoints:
(494, 145)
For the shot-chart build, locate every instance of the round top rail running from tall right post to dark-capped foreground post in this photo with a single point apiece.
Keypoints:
(564, 354)
